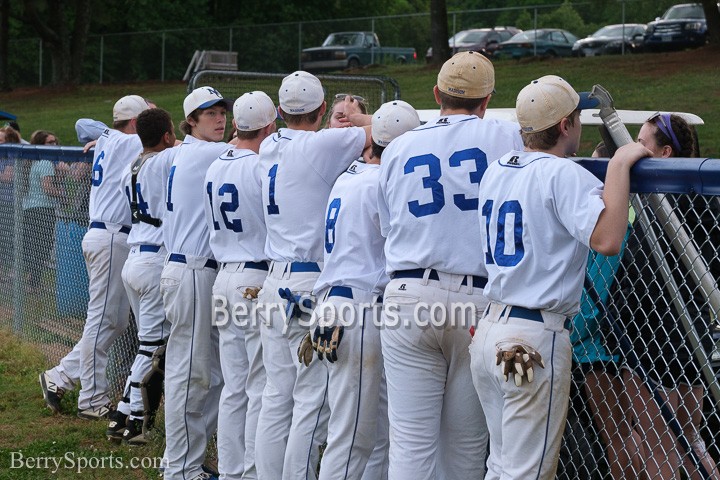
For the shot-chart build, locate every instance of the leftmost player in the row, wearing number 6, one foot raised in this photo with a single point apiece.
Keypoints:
(105, 249)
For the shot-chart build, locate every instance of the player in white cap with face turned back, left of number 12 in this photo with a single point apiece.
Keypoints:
(192, 372)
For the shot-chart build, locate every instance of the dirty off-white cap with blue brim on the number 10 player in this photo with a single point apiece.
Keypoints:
(548, 100)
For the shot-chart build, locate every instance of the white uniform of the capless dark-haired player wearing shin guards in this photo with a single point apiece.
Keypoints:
(142, 271)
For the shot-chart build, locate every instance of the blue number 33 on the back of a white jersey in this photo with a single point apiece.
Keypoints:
(432, 181)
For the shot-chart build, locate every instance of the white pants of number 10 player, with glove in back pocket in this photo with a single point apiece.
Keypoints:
(526, 423)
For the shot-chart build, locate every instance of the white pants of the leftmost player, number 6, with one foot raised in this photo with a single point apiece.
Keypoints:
(105, 251)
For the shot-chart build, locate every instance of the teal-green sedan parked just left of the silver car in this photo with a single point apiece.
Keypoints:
(551, 42)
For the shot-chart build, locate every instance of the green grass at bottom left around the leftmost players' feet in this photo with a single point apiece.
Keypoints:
(28, 429)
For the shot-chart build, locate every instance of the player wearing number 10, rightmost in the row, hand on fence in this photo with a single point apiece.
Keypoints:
(540, 212)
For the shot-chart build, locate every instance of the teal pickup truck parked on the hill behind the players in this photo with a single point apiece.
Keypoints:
(351, 50)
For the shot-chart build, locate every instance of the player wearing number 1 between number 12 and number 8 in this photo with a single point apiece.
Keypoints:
(299, 166)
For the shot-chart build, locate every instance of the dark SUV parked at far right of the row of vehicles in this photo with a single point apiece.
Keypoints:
(681, 26)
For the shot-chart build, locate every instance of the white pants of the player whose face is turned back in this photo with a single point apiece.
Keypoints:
(192, 366)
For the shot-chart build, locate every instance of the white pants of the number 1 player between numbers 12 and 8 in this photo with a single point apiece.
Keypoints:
(294, 413)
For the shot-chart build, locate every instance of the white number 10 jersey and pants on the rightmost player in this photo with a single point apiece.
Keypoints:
(537, 213)
